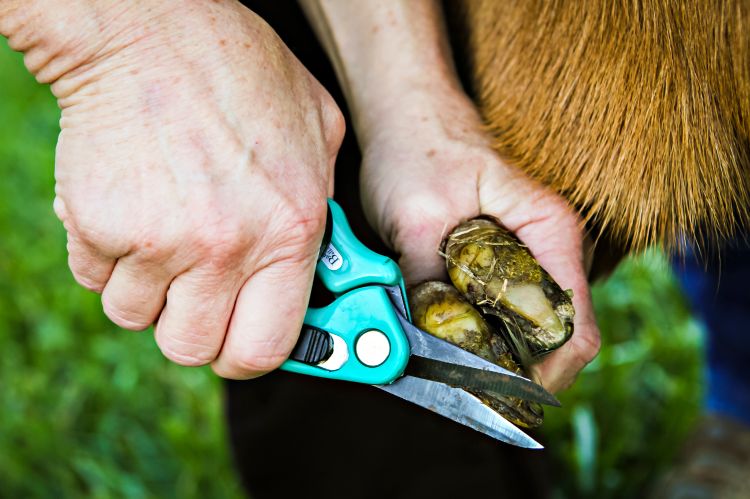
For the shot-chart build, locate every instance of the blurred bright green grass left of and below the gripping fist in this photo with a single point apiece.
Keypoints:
(86, 409)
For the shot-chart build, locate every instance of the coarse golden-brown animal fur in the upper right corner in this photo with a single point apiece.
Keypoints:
(637, 111)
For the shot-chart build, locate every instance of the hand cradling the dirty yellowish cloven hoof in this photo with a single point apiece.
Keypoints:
(431, 168)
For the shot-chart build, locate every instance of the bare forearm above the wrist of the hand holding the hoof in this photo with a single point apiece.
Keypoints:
(387, 55)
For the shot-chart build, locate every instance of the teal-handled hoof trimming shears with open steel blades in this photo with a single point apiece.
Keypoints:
(365, 335)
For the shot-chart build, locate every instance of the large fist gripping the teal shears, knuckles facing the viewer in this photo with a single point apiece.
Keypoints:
(193, 166)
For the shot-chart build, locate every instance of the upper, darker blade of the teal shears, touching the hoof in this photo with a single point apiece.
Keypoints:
(470, 378)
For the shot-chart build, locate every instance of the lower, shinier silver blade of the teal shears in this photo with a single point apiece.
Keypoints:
(460, 406)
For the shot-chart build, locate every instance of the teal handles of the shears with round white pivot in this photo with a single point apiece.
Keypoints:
(338, 341)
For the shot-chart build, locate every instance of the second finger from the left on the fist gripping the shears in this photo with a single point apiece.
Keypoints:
(135, 293)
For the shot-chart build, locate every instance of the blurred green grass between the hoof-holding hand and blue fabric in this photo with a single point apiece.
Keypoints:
(632, 408)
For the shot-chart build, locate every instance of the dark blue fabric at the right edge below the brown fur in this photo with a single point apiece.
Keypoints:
(720, 295)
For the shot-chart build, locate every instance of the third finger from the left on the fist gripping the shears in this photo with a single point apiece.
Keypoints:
(194, 321)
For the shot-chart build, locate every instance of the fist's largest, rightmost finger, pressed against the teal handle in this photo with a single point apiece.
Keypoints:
(267, 320)
